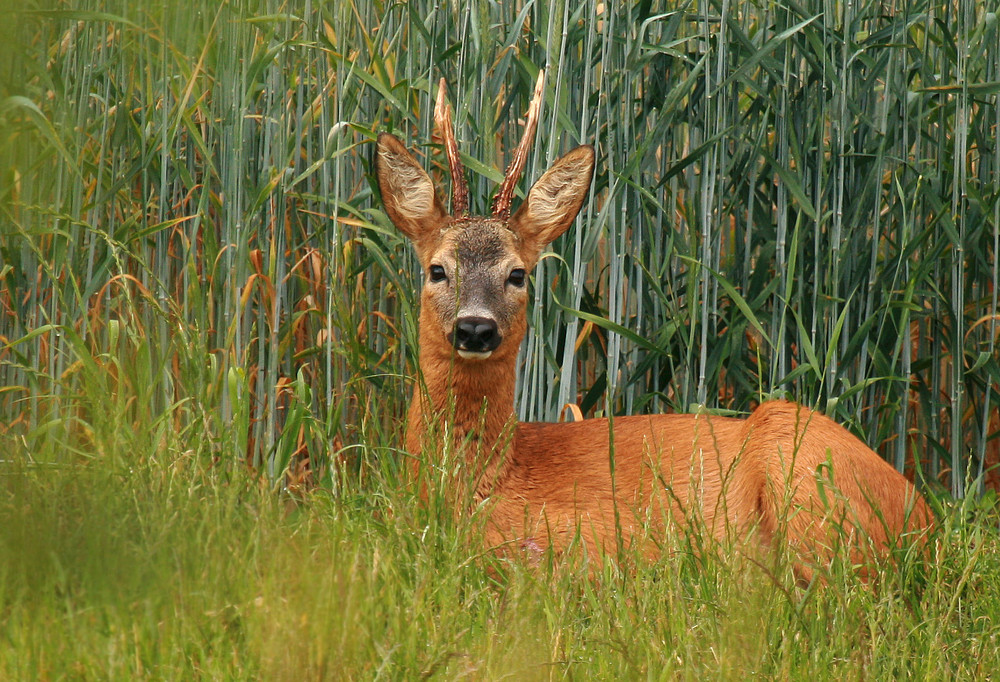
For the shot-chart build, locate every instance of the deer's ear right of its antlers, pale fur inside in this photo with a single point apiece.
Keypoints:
(554, 200)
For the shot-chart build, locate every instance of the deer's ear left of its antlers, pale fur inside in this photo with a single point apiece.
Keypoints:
(407, 192)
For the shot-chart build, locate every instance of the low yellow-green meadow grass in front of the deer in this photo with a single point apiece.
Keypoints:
(171, 570)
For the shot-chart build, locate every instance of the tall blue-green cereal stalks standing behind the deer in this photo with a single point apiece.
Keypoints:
(794, 199)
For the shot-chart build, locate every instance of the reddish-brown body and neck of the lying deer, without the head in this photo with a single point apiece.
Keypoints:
(761, 475)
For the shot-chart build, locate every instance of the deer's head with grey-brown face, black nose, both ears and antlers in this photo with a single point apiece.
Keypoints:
(475, 294)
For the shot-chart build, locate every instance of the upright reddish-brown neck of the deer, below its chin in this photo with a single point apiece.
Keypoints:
(461, 406)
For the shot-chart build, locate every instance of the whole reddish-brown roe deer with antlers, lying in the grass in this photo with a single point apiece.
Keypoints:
(785, 474)
